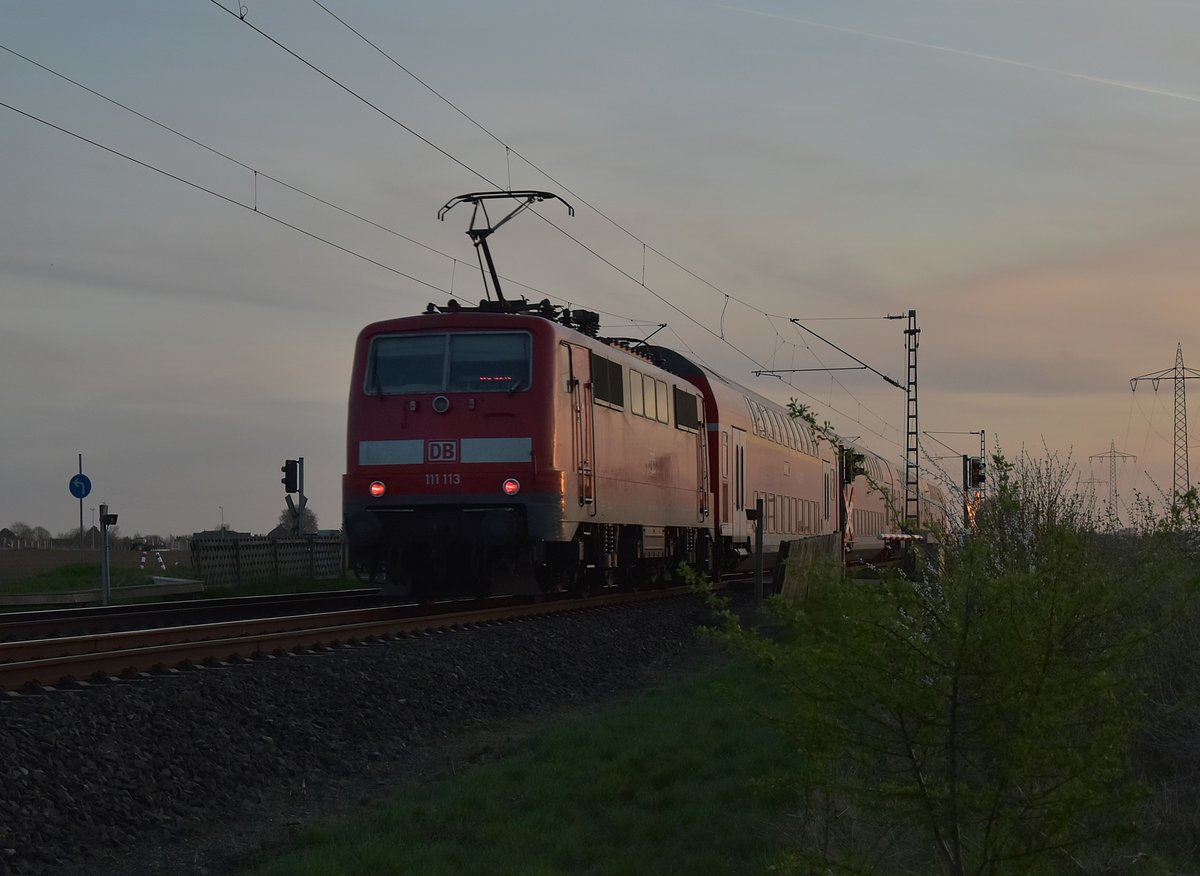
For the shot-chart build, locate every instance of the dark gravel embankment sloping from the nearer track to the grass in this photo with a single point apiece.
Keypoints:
(195, 772)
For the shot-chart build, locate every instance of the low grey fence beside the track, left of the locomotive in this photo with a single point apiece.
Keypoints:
(220, 560)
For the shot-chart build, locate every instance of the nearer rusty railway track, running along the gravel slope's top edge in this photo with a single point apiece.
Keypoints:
(49, 662)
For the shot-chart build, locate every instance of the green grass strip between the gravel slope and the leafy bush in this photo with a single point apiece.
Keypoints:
(677, 782)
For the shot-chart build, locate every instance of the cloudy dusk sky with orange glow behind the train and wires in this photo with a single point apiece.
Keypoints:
(1022, 175)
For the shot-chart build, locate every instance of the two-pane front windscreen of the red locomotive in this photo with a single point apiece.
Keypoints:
(449, 363)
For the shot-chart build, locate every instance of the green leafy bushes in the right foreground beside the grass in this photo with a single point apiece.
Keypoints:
(1001, 711)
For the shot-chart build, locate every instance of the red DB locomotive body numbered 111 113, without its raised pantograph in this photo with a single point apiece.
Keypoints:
(495, 442)
